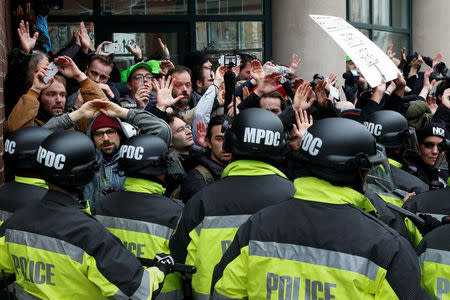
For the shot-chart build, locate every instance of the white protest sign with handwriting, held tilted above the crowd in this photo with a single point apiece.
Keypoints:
(373, 63)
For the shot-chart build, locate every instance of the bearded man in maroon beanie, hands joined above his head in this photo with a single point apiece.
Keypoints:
(107, 131)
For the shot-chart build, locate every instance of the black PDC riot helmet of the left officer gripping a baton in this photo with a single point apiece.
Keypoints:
(67, 158)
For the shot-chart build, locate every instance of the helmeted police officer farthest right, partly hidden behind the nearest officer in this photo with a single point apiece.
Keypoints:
(392, 131)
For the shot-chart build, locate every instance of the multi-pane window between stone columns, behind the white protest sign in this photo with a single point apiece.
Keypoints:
(383, 21)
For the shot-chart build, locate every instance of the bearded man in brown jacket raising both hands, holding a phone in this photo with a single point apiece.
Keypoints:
(45, 100)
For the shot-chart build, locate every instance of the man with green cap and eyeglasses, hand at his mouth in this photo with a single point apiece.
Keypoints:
(139, 84)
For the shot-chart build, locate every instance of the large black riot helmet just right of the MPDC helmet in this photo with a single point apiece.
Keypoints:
(339, 150)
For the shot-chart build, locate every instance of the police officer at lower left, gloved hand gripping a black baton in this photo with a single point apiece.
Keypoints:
(58, 252)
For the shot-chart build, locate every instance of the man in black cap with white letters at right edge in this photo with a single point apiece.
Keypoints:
(430, 140)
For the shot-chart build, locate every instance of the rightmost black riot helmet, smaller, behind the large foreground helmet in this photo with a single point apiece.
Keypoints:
(390, 129)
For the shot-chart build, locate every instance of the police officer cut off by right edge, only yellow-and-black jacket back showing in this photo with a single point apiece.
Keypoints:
(434, 252)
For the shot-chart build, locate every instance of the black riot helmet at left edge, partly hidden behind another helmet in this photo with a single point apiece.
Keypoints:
(21, 147)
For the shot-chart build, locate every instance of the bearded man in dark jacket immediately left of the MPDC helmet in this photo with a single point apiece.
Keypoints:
(209, 166)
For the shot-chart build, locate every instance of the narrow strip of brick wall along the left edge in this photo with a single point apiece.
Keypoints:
(5, 47)
